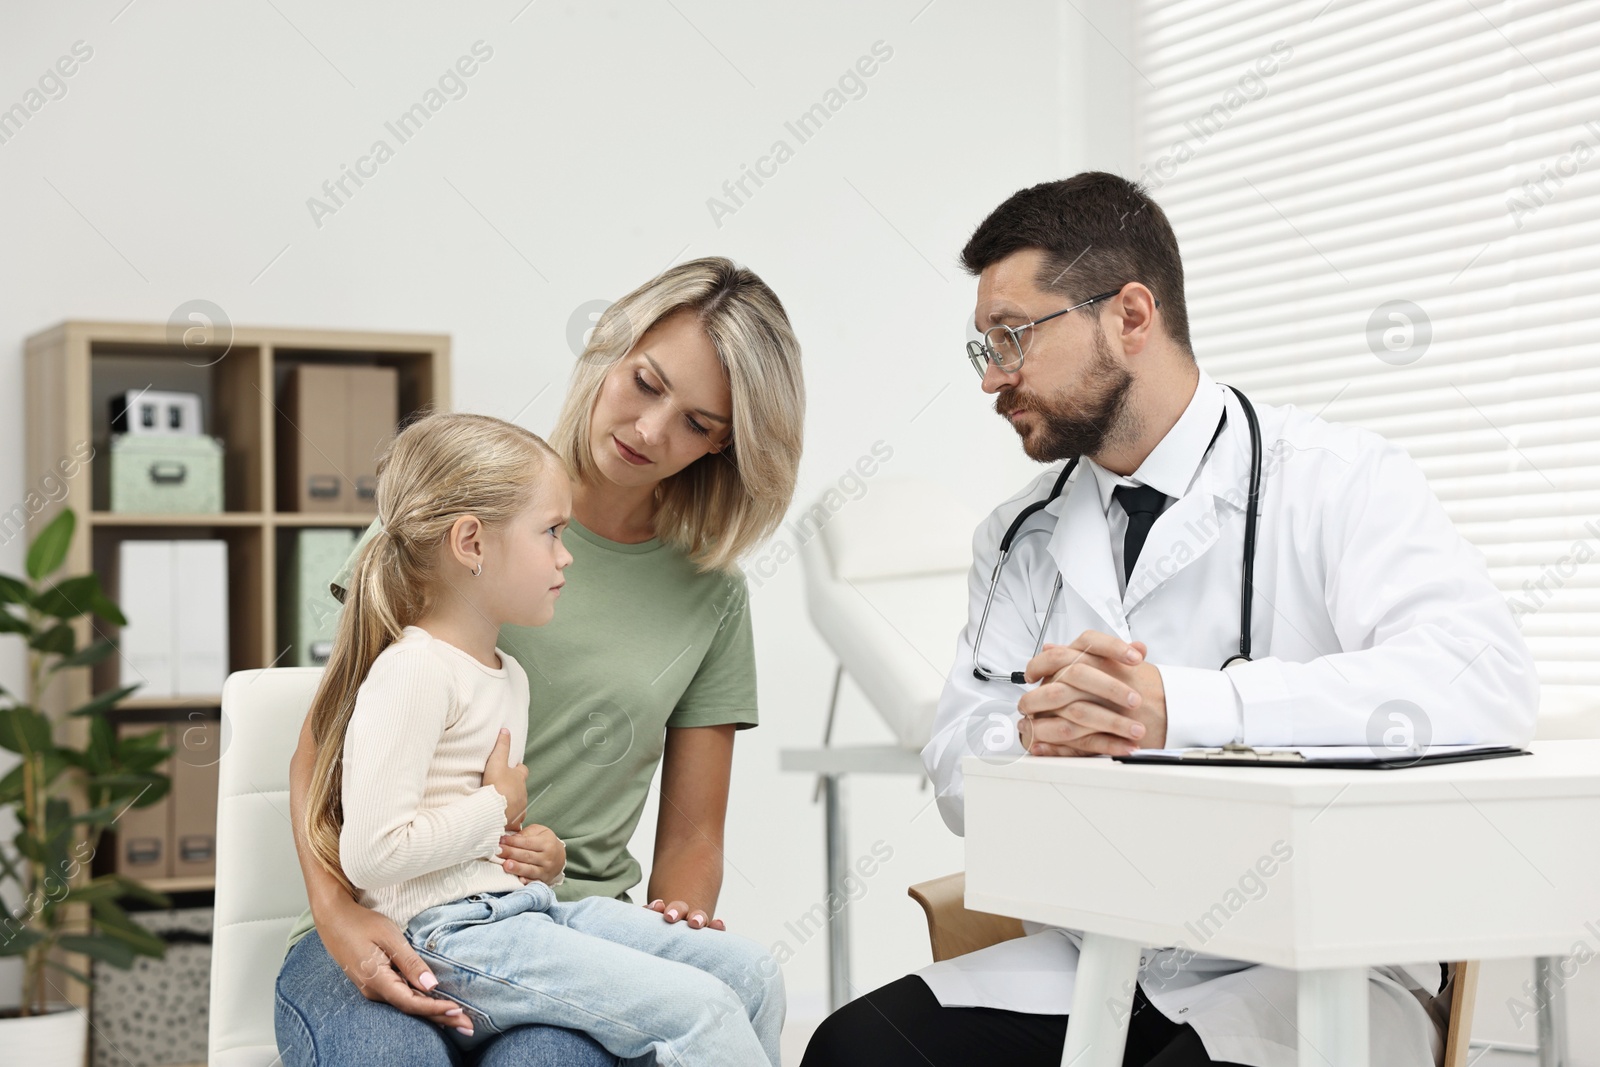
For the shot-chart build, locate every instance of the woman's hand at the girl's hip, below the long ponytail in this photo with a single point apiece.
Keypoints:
(375, 954)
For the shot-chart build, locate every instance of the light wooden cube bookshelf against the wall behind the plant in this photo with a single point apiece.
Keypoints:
(74, 369)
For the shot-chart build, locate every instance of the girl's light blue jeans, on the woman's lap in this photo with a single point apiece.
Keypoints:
(641, 986)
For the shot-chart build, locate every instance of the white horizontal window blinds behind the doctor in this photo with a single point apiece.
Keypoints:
(1391, 215)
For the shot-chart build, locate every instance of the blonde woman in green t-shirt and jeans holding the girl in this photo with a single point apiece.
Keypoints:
(682, 428)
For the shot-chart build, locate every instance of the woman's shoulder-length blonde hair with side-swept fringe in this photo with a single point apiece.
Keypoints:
(724, 505)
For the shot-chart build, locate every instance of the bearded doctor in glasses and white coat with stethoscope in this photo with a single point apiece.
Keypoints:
(1124, 596)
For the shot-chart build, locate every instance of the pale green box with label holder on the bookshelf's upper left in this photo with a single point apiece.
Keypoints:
(162, 473)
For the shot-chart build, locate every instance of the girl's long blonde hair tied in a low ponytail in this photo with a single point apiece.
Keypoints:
(436, 471)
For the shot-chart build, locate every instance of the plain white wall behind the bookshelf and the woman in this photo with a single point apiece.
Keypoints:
(180, 162)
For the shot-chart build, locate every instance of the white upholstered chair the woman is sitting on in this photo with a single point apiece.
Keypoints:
(260, 892)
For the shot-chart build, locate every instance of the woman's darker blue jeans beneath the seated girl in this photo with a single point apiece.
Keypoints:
(324, 1021)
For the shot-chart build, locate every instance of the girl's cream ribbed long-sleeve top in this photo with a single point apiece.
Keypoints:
(420, 825)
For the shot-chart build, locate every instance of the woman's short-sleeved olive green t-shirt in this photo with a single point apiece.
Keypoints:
(641, 642)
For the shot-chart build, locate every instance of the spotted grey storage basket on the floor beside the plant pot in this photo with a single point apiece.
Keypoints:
(158, 1012)
